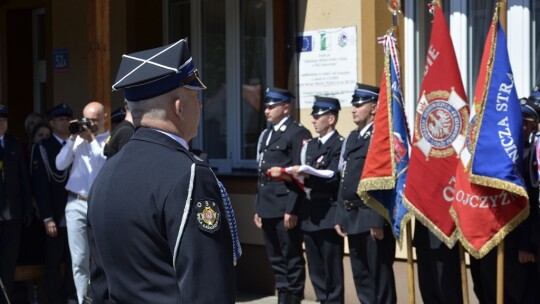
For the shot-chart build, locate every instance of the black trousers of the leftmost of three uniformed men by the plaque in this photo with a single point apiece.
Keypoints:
(284, 250)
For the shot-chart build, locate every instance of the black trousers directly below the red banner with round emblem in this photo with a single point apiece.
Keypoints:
(439, 276)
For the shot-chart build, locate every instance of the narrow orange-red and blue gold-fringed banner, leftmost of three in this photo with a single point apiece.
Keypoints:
(385, 169)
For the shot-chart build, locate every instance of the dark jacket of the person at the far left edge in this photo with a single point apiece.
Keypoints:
(15, 178)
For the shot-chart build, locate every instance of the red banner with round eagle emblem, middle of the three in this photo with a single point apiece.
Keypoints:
(440, 130)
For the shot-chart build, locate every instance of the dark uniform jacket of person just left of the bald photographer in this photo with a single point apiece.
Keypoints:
(49, 183)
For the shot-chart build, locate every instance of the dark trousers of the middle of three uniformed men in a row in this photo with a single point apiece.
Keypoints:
(324, 251)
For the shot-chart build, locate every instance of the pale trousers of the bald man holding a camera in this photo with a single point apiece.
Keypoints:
(76, 211)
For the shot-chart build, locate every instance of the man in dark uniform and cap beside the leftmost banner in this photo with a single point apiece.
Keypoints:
(371, 244)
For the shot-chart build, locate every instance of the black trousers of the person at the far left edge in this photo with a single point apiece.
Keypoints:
(10, 238)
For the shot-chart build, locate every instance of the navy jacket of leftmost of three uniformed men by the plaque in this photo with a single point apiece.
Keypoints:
(275, 198)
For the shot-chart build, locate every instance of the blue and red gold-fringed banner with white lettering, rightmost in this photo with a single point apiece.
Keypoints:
(490, 198)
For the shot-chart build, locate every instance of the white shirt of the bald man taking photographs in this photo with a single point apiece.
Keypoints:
(86, 159)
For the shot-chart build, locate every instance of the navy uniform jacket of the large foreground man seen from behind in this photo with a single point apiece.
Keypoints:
(135, 211)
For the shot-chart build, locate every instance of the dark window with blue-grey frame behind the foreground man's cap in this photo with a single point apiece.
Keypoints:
(230, 46)
